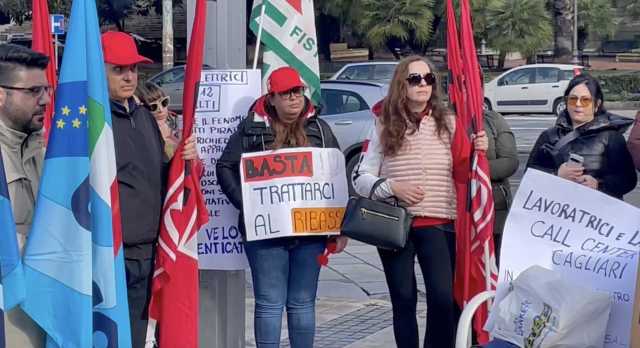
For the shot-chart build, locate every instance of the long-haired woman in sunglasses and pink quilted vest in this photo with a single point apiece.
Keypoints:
(416, 145)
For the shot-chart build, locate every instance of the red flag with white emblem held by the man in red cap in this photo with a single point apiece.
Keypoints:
(174, 301)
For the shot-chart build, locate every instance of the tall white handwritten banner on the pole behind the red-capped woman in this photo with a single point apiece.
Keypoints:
(224, 100)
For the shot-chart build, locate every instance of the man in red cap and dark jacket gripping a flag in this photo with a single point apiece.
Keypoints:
(142, 168)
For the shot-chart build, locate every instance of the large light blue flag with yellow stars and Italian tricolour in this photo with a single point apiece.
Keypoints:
(73, 262)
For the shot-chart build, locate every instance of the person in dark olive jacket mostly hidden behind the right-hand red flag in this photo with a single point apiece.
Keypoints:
(503, 163)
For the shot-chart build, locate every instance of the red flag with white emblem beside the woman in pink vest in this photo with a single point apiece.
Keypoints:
(476, 269)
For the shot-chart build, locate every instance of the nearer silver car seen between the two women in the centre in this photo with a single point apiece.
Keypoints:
(346, 106)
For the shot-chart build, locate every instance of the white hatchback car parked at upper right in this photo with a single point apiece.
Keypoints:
(534, 88)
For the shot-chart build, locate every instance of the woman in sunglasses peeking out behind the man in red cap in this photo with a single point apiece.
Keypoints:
(154, 99)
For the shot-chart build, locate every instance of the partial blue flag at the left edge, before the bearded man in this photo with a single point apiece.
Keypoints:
(11, 279)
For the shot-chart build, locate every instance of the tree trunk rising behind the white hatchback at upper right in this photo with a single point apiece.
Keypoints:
(563, 29)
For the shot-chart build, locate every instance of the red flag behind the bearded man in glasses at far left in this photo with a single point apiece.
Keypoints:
(41, 42)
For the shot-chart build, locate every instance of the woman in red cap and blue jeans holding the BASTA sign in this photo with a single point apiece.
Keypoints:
(284, 270)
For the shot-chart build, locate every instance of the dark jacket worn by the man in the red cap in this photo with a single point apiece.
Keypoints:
(142, 167)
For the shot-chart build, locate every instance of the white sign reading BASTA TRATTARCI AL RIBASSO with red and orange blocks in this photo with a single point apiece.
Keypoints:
(293, 192)
